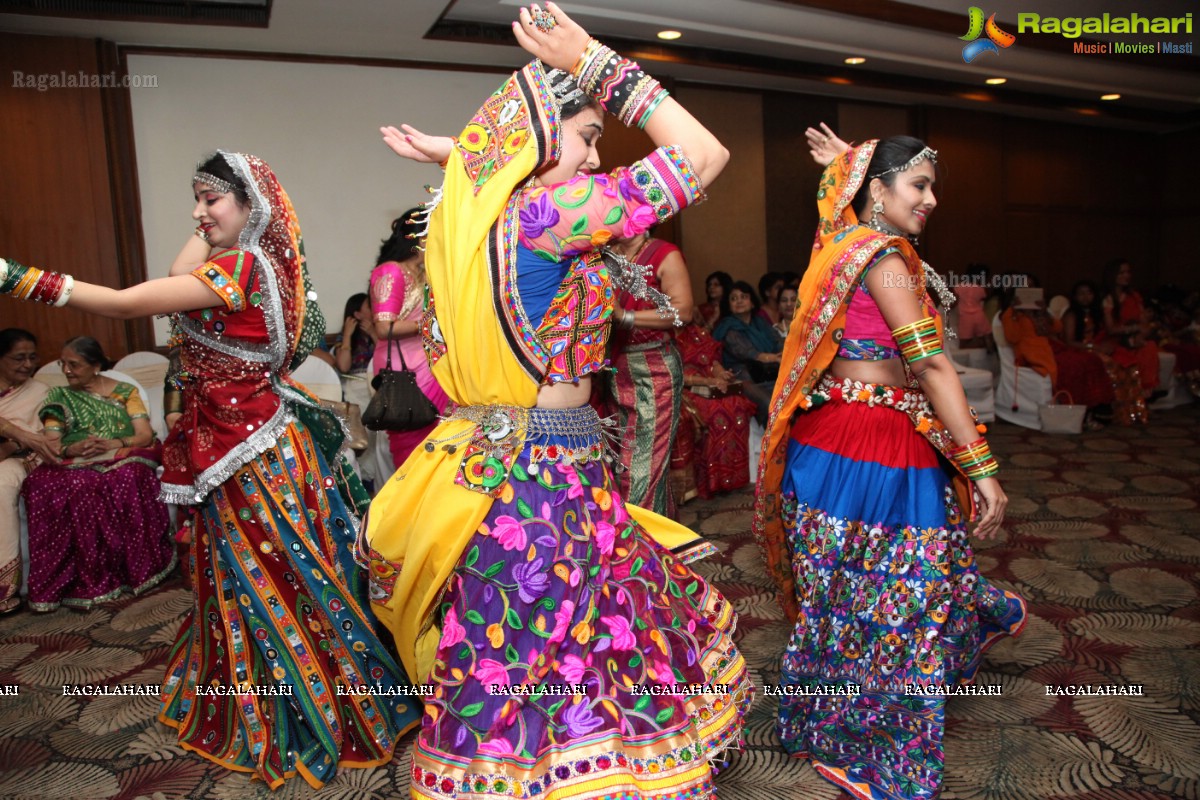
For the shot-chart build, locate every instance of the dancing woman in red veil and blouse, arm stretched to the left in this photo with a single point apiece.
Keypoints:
(266, 675)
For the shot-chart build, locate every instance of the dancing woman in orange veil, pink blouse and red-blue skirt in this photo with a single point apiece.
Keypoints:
(855, 512)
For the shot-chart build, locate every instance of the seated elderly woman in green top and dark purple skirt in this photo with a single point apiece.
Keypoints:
(97, 527)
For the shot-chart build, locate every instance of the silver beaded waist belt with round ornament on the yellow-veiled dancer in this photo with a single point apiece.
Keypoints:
(501, 432)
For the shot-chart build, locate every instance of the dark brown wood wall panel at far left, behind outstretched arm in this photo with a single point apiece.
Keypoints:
(57, 209)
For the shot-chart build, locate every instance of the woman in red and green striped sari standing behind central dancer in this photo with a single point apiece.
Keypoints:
(647, 381)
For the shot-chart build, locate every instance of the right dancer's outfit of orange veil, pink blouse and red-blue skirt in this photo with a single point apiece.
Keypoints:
(863, 526)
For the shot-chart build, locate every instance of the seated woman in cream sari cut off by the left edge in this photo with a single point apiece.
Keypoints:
(21, 446)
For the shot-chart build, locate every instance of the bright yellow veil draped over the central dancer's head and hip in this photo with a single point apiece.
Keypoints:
(422, 521)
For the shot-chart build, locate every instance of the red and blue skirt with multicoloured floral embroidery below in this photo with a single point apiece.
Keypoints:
(891, 599)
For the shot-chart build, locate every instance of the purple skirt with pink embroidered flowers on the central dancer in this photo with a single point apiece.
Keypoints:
(579, 659)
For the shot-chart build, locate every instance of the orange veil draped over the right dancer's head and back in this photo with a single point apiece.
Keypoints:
(842, 251)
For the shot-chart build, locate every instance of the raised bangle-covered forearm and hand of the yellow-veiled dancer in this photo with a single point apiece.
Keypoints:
(562, 44)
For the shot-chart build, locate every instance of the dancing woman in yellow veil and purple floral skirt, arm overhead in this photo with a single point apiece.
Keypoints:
(571, 651)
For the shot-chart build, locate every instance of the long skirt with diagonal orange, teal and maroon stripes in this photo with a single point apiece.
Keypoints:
(278, 670)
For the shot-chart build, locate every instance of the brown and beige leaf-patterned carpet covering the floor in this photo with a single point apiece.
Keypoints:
(1103, 539)
